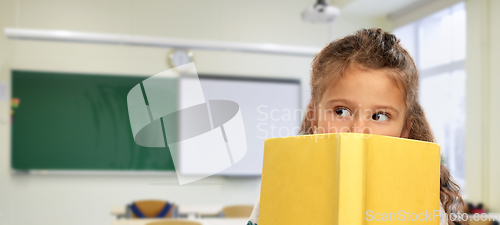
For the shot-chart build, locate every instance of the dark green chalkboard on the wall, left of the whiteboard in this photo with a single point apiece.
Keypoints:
(77, 122)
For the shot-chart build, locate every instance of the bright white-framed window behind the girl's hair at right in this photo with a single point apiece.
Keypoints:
(437, 44)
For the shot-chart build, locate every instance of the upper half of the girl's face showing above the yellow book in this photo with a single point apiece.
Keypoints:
(363, 101)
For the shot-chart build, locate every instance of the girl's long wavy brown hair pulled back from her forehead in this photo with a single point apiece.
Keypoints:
(374, 49)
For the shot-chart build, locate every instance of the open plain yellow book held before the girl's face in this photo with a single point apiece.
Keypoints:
(349, 179)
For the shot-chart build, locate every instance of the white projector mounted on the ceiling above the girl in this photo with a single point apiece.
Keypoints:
(320, 12)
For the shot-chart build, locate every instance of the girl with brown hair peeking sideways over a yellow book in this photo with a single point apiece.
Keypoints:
(368, 83)
